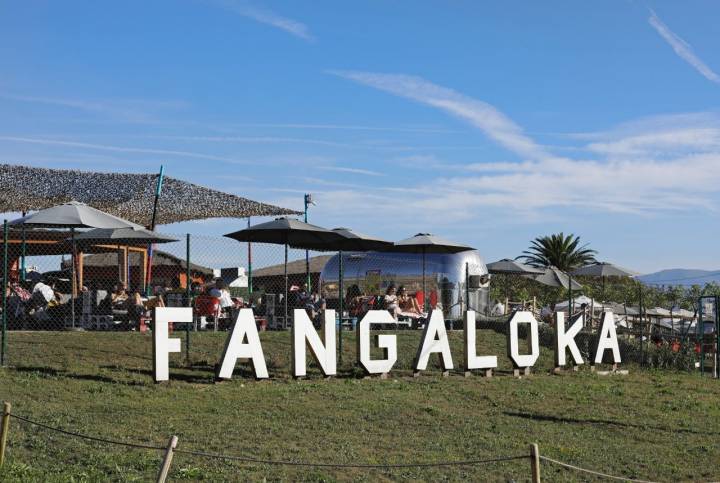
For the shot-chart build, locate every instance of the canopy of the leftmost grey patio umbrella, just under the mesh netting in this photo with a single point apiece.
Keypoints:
(72, 215)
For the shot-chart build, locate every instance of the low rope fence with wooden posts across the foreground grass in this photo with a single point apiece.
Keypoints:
(534, 456)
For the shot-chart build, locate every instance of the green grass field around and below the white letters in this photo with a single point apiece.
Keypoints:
(652, 425)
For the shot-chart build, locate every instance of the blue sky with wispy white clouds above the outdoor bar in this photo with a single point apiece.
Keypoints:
(486, 122)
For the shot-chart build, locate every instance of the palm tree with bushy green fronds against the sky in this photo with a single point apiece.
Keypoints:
(563, 252)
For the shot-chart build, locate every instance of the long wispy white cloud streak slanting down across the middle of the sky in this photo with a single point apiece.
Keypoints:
(482, 115)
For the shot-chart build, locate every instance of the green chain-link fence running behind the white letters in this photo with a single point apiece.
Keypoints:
(55, 284)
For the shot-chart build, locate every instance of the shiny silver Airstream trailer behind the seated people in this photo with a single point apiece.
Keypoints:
(453, 282)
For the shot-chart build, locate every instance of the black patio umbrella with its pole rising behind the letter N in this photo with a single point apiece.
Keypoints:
(289, 232)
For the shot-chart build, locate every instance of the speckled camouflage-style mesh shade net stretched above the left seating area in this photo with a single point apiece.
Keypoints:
(126, 195)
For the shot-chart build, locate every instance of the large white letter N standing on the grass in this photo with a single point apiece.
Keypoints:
(302, 331)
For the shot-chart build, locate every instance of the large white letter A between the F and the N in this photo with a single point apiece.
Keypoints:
(235, 348)
